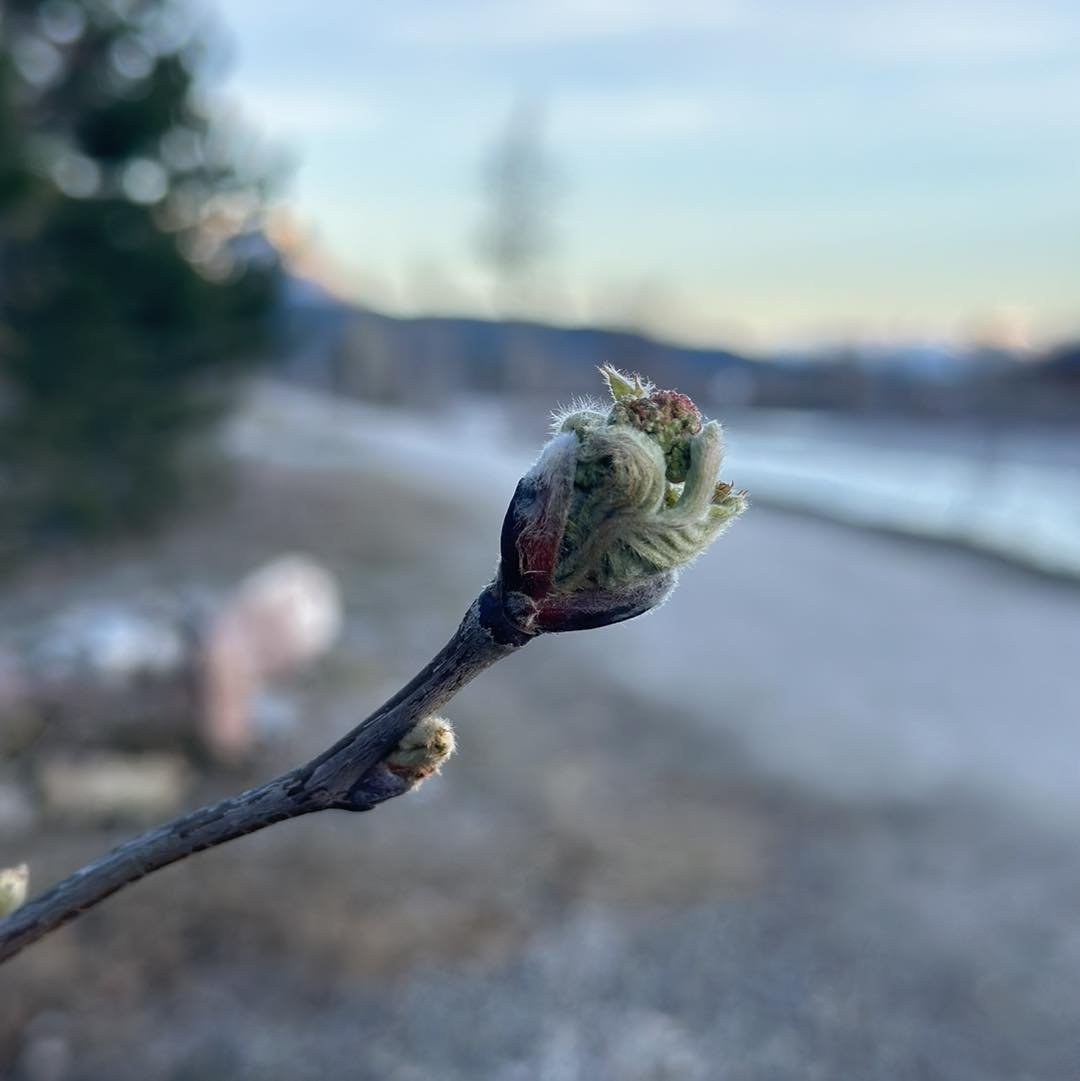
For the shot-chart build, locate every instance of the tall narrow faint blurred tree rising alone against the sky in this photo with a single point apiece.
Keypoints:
(518, 188)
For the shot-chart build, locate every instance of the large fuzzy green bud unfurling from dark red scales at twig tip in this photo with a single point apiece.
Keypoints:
(619, 500)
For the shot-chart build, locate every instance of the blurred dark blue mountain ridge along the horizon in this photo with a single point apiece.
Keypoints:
(328, 343)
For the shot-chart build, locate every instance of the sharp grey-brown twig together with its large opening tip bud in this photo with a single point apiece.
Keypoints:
(595, 535)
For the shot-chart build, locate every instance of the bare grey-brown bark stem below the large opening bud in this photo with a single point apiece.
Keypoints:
(351, 776)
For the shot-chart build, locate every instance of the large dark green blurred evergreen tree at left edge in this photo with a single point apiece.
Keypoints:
(135, 281)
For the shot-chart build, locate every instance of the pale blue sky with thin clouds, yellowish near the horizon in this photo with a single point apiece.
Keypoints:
(770, 175)
